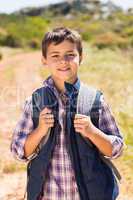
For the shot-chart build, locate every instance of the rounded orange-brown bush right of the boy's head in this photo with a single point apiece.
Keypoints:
(110, 40)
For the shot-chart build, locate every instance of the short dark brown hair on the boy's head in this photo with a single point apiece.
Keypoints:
(58, 35)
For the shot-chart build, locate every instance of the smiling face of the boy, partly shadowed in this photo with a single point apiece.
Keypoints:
(63, 61)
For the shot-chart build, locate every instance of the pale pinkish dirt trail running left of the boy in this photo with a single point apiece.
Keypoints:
(23, 69)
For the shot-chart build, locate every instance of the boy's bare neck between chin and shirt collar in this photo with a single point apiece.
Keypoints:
(60, 84)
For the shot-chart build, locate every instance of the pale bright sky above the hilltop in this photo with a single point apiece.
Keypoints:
(9, 6)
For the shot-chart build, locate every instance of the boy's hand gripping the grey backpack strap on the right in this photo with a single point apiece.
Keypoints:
(83, 125)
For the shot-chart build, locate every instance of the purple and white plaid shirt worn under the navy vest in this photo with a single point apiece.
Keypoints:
(60, 181)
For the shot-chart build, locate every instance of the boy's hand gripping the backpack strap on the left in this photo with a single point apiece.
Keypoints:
(46, 120)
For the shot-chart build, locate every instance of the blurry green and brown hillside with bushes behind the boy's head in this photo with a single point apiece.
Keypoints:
(102, 25)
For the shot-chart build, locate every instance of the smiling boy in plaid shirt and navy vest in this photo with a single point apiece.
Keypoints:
(62, 166)
